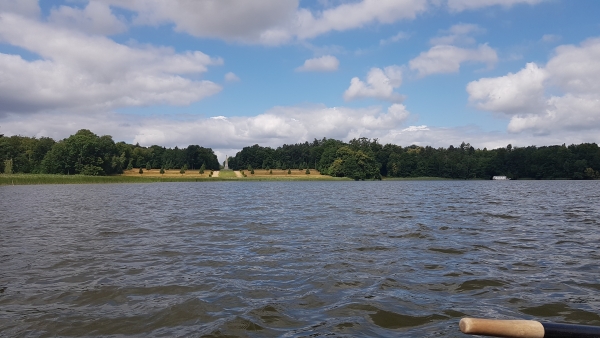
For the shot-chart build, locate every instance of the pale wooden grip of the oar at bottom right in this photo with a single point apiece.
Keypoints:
(502, 328)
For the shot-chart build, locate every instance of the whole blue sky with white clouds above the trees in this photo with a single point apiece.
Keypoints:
(226, 74)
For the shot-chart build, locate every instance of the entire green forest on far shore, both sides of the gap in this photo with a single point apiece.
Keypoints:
(89, 154)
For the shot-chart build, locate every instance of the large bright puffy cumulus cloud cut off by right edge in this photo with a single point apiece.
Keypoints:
(573, 74)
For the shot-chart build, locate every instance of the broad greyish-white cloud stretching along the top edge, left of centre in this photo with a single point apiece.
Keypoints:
(270, 22)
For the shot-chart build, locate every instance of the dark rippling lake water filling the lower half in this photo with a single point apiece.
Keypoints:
(295, 259)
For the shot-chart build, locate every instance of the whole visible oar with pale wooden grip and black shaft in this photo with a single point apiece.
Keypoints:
(526, 329)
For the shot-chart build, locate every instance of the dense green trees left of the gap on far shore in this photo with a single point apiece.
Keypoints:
(89, 154)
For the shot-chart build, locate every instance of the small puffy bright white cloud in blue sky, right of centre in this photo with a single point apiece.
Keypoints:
(380, 85)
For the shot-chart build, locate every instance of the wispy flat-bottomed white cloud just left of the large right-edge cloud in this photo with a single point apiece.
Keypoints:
(447, 59)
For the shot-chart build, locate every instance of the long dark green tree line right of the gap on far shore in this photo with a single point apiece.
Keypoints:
(368, 159)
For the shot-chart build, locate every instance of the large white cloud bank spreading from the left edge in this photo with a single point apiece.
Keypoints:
(76, 70)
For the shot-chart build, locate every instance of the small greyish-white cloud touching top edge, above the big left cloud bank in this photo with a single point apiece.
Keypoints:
(95, 18)
